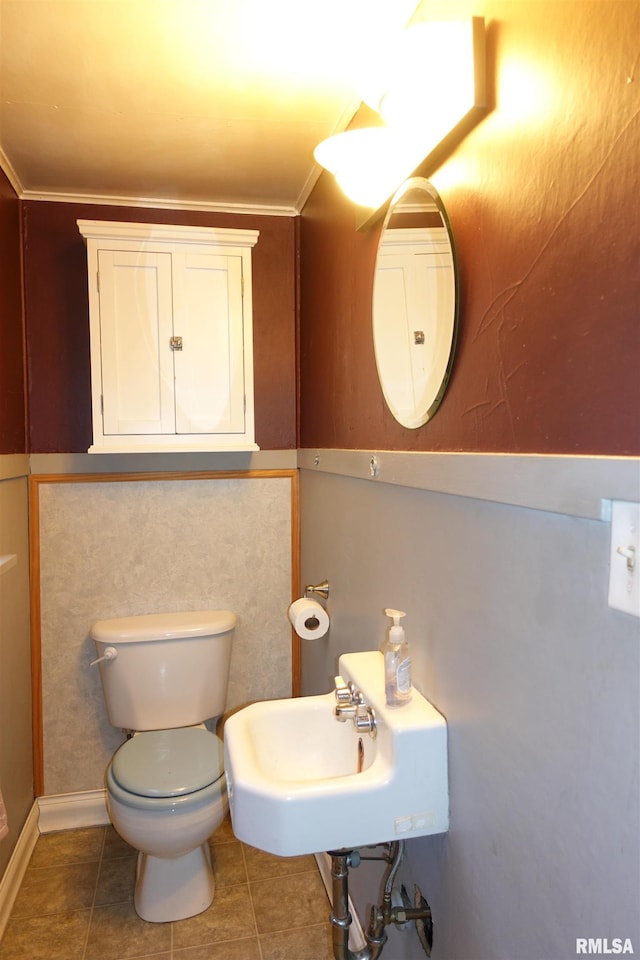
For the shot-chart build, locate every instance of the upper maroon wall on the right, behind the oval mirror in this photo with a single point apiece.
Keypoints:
(544, 200)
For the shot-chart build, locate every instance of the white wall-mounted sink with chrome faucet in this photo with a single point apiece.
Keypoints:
(300, 781)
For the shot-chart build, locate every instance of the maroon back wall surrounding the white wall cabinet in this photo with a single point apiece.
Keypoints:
(57, 320)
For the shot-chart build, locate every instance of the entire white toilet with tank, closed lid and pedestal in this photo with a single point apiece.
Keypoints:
(165, 674)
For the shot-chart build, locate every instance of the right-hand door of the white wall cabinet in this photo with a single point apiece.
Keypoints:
(209, 369)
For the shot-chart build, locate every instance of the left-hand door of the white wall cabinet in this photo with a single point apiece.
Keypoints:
(135, 333)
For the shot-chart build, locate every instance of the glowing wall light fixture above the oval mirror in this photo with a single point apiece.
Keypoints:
(429, 90)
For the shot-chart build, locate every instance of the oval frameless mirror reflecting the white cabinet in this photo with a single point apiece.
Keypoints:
(415, 303)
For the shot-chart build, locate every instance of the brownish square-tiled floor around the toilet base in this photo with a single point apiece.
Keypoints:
(75, 903)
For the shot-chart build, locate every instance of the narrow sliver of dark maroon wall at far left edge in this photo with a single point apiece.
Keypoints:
(12, 399)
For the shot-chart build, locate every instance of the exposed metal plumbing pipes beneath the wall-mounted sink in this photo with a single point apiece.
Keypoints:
(381, 916)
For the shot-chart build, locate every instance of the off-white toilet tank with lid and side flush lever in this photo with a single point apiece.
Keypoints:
(168, 670)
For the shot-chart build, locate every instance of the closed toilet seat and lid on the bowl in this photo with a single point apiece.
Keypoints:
(162, 769)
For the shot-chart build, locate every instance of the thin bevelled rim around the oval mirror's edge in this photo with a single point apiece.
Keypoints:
(422, 416)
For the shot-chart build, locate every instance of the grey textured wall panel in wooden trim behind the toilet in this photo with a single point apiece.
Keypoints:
(116, 549)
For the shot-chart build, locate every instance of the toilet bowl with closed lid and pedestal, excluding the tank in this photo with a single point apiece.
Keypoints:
(166, 795)
